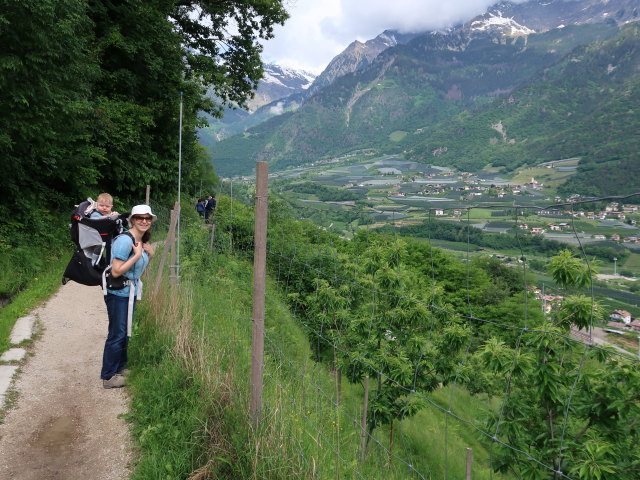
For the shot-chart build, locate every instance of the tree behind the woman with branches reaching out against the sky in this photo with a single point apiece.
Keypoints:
(150, 52)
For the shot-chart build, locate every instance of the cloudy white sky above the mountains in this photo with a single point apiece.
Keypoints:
(318, 30)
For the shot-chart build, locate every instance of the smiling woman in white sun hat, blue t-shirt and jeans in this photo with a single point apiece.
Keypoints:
(130, 254)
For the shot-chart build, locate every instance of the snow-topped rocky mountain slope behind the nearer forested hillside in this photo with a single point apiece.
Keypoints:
(432, 79)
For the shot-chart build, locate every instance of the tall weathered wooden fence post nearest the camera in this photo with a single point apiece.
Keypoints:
(259, 281)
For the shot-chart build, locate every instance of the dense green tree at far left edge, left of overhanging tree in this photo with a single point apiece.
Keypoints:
(46, 74)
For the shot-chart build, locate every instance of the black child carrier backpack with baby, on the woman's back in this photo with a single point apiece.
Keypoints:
(92, 238)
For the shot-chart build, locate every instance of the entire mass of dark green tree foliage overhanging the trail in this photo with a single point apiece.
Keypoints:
(91, 94)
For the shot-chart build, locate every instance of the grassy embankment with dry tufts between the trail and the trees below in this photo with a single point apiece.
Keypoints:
(190, 392)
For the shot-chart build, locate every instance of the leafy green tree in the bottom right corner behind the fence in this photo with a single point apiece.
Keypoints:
(567, 408)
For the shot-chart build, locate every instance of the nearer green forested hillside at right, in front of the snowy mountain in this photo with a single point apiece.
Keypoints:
(580, 107)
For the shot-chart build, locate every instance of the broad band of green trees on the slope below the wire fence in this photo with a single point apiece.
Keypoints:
(406, 314)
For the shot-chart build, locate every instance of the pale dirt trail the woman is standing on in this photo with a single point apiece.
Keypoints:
(64, 425)
